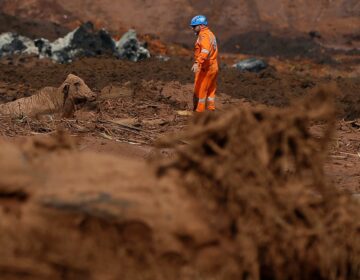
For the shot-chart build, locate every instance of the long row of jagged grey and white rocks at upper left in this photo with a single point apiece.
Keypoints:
(84, 41)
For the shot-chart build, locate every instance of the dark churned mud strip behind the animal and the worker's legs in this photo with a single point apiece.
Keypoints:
(23, 76)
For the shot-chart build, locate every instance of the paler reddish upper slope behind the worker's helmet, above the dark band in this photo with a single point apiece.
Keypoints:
(169, 18)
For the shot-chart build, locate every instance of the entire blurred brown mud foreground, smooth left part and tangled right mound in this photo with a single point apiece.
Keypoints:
(252, 203)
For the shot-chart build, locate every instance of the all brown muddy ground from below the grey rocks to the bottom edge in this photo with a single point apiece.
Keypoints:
(131, 192)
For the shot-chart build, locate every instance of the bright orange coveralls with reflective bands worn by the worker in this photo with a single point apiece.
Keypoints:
(206, 52)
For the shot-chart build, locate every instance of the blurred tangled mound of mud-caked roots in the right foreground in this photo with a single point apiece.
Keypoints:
(259, 172)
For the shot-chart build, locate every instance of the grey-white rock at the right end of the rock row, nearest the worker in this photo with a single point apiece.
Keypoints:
(129, 47)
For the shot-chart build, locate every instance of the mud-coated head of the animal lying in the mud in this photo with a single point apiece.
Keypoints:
(75, 92)
